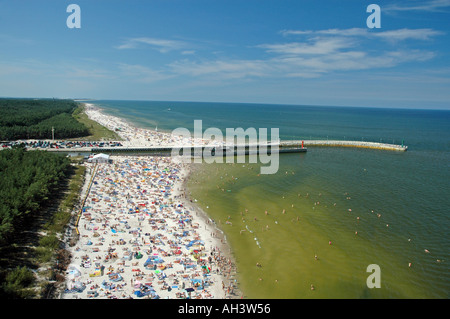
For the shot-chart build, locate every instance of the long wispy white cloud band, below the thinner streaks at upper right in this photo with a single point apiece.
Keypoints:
(300, 65)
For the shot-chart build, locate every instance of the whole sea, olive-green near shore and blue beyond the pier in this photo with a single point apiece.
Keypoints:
(376, 207)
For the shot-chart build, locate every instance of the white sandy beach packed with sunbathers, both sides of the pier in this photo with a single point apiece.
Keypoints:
(139, 236)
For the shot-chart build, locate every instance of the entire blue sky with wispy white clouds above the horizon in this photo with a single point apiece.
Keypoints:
(302, 52)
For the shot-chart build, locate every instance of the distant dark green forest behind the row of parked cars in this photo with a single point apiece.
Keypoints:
(35, 118)
